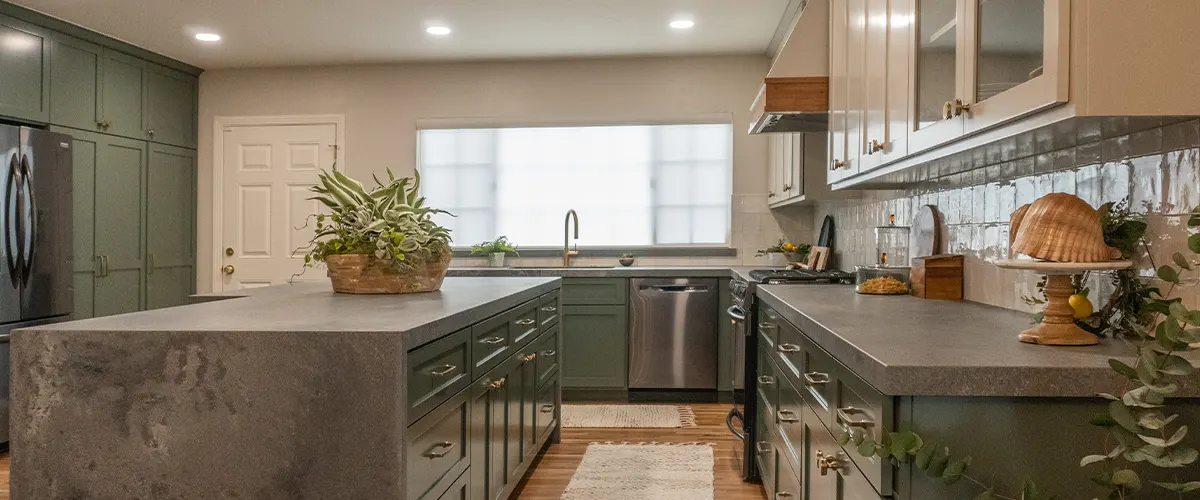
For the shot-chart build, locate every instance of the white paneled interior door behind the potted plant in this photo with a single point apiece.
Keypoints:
(267, 176)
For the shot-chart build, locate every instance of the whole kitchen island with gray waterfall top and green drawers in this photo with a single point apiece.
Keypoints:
(292, 393)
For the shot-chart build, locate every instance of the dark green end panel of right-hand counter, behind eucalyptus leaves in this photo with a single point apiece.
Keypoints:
(1013, 439)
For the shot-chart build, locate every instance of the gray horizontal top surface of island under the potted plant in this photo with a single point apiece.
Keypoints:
(315, 308)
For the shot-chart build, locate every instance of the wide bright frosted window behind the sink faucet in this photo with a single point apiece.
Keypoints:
(662, 185)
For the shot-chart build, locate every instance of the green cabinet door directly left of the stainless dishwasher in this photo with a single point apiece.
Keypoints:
(596, 344)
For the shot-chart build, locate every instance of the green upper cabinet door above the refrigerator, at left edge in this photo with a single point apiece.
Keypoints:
(25, 71)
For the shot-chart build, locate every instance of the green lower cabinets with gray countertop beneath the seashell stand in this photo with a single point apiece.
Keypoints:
(831, 360)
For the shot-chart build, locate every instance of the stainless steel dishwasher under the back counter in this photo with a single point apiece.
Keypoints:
(673, 338)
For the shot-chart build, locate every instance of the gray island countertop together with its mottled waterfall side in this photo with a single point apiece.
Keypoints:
(290, 393)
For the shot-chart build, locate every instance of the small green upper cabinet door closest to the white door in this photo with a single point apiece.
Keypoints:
(171, 107)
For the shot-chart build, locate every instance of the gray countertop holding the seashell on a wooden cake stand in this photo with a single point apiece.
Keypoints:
(904, 346)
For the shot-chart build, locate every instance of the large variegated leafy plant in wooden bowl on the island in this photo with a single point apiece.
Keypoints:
(379, 242)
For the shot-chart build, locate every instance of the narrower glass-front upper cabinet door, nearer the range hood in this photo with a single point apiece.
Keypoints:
(938, 62)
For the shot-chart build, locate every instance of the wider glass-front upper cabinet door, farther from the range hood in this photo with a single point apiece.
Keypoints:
(1019, 59)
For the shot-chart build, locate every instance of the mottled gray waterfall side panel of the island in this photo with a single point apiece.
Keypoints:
(202, 415)
